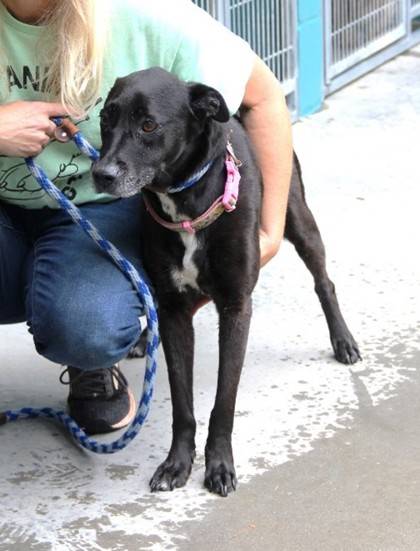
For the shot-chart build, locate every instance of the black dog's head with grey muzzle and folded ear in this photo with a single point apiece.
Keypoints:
(148, 125)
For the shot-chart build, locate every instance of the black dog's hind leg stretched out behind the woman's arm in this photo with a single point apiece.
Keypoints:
(302, 231)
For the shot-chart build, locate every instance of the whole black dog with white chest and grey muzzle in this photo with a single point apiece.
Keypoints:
(157, 132)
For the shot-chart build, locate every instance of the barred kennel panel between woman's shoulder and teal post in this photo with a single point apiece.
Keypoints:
(269, 26)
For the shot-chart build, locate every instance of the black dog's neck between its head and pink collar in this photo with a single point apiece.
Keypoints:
(191, 202)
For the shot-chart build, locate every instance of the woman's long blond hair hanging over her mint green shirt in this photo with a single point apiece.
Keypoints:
(73, 49)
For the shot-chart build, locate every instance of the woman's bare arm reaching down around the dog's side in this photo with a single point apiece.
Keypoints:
(266, 118)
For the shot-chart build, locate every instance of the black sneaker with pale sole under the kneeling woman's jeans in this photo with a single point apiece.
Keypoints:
(99, 400)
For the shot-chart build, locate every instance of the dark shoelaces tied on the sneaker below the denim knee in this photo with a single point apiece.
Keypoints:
(92, 383)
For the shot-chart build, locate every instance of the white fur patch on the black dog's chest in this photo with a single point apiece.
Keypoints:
(187, 275)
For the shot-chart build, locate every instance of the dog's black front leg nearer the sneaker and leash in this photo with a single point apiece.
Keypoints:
(177, 336)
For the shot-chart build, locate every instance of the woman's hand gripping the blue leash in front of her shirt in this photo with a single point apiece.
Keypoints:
(26, 128)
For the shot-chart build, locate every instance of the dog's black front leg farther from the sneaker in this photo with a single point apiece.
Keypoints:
(234, 318)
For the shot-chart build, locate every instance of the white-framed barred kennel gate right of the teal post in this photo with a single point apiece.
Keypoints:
(357, 30)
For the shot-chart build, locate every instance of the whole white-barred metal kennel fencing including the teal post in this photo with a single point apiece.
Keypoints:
(358, 35)
